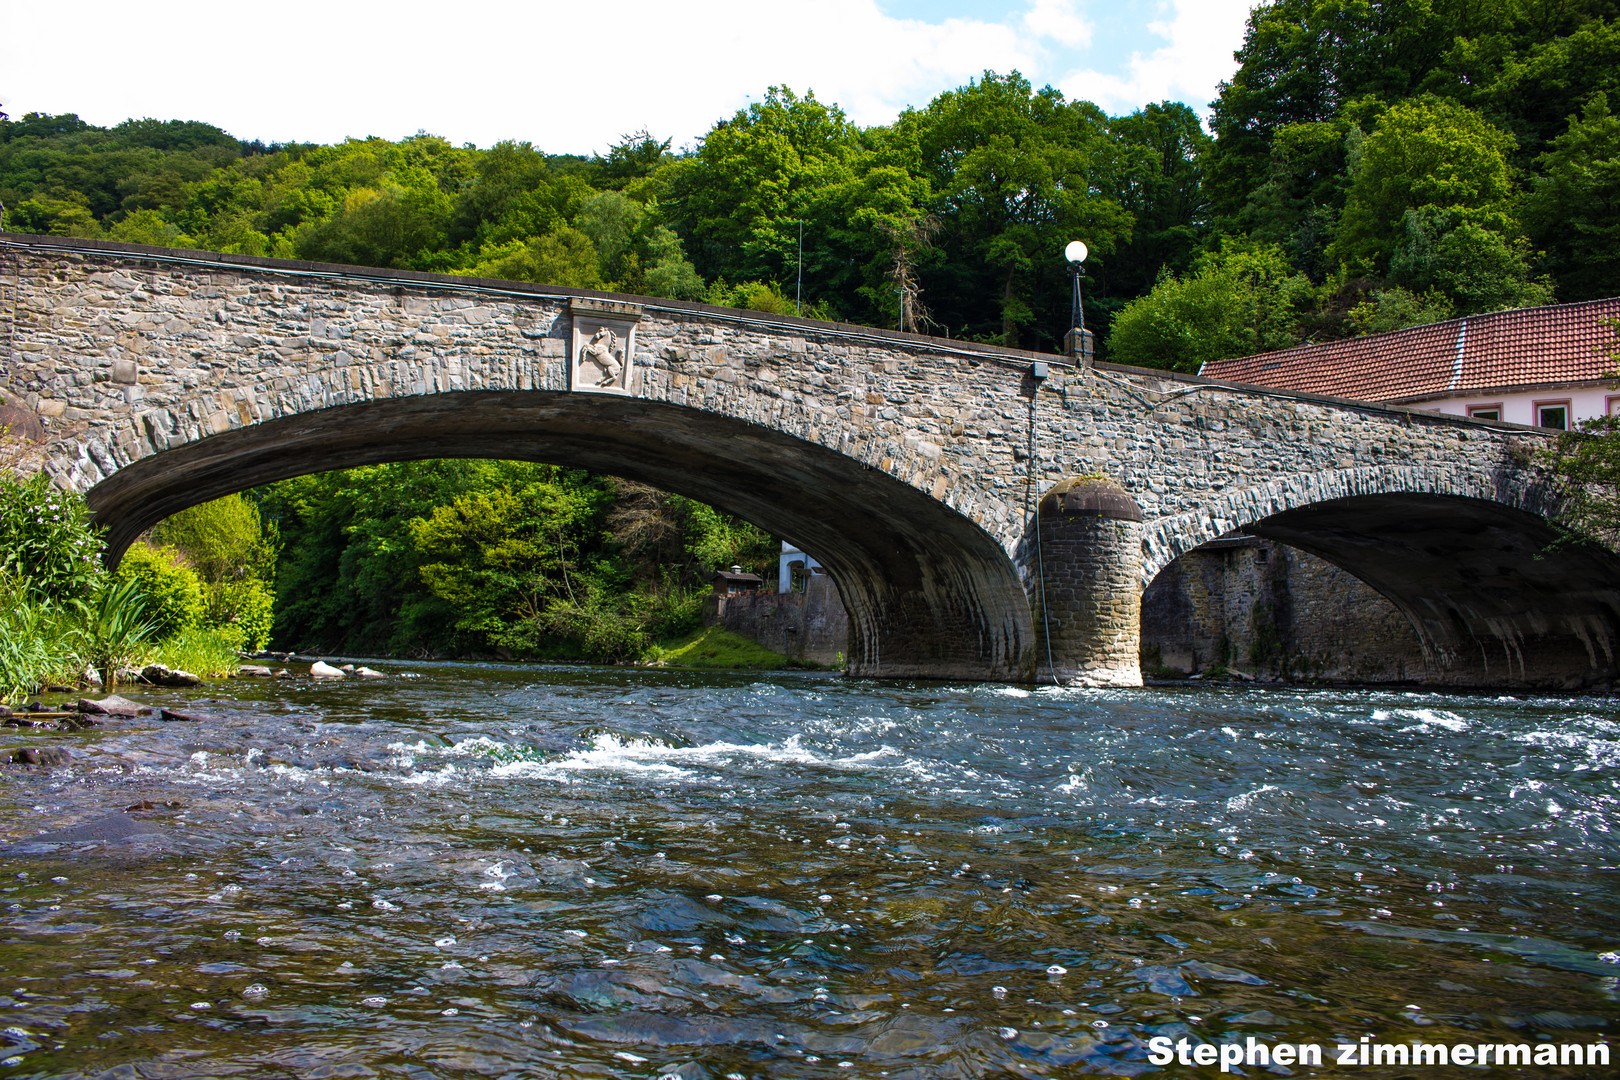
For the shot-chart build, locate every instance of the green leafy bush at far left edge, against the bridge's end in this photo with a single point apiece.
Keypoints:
(48, 543)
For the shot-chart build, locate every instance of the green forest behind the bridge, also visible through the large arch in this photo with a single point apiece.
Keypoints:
(1370, 166)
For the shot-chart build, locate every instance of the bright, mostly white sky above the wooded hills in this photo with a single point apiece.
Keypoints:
(576, 77)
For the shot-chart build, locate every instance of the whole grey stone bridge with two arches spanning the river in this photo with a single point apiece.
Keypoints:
(987, 514)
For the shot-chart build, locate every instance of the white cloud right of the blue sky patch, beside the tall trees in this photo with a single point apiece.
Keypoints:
(1201, 40)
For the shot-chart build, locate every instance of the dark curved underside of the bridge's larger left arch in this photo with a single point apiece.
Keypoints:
(929, 593)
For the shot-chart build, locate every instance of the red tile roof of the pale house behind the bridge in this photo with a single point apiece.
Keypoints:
(1506, 349)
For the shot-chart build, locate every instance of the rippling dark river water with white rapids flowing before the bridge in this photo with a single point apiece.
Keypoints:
(537, 872)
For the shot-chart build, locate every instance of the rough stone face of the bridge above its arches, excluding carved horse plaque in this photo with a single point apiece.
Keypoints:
(126, 354)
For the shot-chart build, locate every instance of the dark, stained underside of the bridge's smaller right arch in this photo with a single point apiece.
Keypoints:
(1491, 600)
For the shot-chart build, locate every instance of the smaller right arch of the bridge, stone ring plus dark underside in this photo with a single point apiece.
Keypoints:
(1464, 551)
